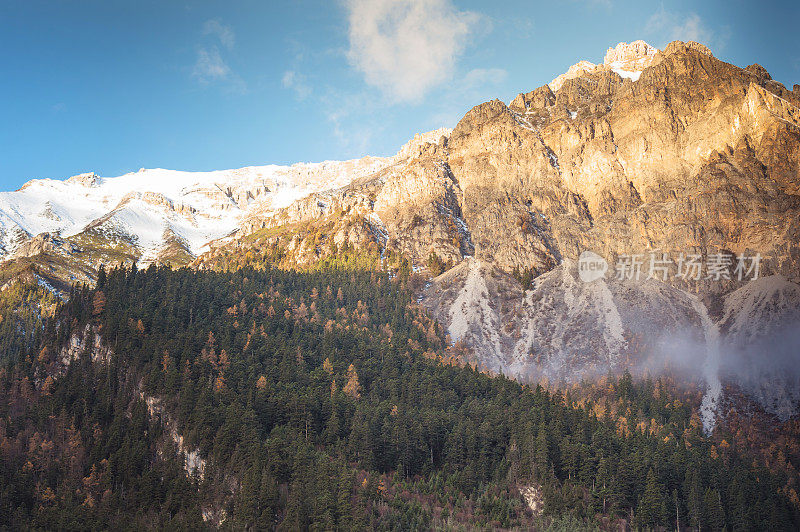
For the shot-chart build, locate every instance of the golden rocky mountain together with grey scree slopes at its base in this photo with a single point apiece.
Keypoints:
(649, 153)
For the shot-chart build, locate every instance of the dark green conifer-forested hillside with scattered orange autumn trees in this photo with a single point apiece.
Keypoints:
(317, 399)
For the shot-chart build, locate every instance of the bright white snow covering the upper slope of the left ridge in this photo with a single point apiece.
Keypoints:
(144, 207)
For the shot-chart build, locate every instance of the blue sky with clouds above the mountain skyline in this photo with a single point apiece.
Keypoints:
(111, 86)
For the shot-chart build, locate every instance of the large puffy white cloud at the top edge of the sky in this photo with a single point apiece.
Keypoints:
(406, 47)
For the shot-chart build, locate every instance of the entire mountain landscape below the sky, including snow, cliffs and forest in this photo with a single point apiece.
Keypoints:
(503, 326)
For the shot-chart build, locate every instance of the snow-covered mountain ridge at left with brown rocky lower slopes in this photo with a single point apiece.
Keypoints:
(64, 230)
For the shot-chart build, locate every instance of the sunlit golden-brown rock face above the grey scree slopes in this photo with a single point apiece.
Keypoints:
(694, 156)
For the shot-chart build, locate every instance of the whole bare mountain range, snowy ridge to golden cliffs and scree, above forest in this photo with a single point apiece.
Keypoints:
(651, 153)
